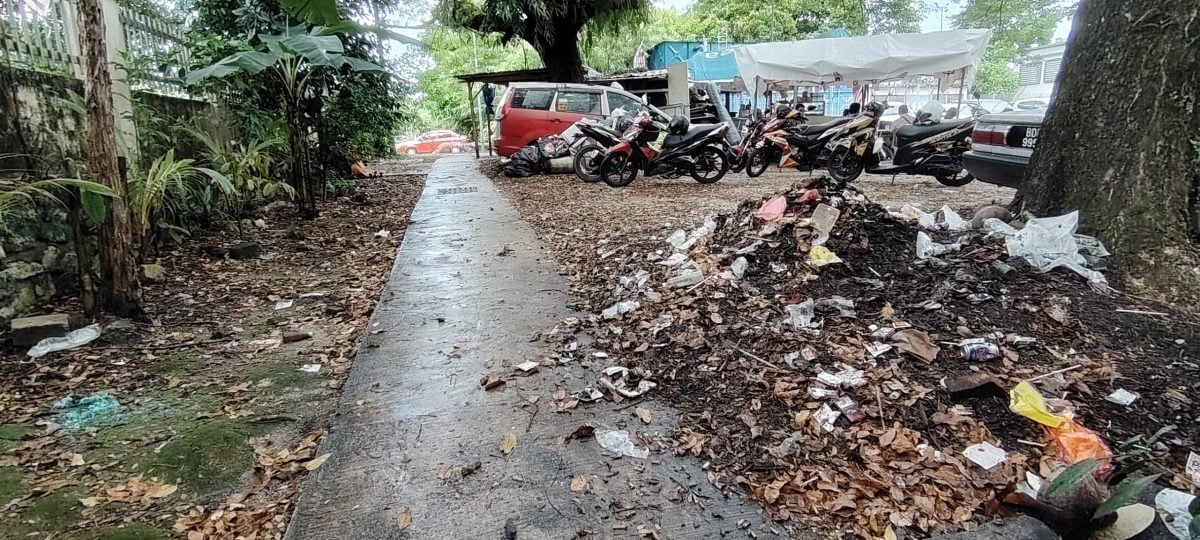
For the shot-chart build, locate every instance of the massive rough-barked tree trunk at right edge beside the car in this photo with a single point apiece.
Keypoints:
(1121, 143)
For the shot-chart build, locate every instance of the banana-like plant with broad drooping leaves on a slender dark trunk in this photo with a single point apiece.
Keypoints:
(293, 58)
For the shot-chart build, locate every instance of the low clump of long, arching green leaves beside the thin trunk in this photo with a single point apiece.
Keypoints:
(175, 194)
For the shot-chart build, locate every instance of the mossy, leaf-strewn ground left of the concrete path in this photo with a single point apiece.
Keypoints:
(201, 422)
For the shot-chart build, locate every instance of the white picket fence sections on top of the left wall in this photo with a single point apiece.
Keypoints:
(43, 35)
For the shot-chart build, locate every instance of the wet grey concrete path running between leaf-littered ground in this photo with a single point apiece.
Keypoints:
(471, 289)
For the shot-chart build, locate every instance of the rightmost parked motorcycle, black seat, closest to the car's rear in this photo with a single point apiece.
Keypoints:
(929, 147)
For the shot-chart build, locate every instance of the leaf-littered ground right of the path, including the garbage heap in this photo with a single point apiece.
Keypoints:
(849, 386)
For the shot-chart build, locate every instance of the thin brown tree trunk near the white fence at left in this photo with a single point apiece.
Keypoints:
(122, 292)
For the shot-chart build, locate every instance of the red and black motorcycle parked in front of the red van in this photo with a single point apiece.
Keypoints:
(698, 151)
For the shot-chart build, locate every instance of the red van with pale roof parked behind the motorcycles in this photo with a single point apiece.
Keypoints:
(530, 111)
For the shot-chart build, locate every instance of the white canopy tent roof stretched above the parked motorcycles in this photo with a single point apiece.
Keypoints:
(866, 59)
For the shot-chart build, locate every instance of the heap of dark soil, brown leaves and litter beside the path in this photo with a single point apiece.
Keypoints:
(853, 368)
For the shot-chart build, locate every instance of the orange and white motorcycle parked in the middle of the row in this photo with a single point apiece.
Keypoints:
(791, 142)
